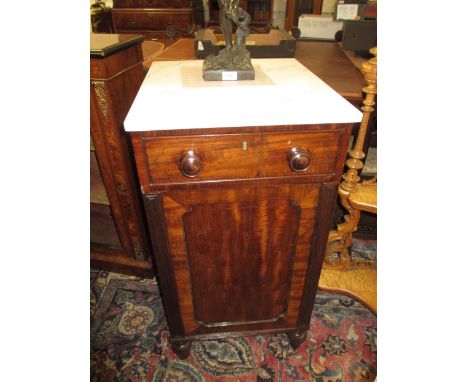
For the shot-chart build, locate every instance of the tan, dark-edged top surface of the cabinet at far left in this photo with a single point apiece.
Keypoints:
(103, 44)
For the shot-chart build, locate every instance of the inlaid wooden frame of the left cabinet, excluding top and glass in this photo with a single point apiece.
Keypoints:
(115, 81)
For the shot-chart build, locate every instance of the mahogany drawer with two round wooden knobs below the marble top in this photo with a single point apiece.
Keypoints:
(183, 159)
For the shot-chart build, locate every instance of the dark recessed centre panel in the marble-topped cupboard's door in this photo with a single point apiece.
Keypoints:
(240, 257)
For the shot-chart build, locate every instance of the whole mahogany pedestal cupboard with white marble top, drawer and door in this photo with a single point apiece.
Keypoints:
(238, 194)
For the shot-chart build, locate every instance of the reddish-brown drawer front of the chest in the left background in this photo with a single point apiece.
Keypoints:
(152, 20)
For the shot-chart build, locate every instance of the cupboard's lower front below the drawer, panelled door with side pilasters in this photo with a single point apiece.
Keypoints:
(233, 259)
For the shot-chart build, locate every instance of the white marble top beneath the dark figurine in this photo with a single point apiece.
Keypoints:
(175, 96)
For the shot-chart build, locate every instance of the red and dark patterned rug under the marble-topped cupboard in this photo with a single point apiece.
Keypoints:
(130, 340)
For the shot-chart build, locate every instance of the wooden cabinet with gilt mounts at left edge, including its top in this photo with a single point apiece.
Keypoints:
(118, 234)
